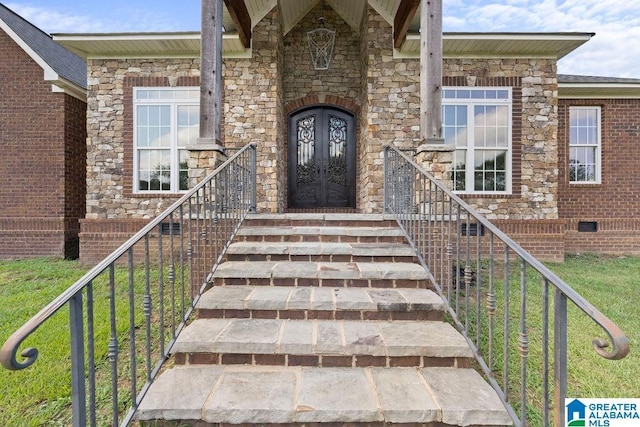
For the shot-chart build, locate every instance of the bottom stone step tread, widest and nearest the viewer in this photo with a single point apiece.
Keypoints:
(267, 394)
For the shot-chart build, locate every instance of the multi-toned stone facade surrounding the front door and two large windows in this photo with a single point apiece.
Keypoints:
(364, 76)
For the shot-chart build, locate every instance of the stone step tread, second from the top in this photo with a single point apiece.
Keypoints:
(249, 230)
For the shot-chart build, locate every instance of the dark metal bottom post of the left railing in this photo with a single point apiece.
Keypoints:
(78, 391)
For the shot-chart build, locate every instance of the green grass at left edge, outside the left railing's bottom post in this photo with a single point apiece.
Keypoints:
(38, 395)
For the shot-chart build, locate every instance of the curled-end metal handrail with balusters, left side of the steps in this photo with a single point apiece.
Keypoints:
(202, 209)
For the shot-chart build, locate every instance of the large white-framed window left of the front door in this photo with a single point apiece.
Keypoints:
(166, 120)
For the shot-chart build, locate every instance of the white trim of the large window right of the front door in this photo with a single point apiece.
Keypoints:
(471, 102)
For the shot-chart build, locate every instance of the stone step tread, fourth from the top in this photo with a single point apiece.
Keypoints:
(320, 270)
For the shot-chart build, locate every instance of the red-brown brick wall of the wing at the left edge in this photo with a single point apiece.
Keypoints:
(42, 137)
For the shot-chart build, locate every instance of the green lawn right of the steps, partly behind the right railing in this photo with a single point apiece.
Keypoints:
(609, 283)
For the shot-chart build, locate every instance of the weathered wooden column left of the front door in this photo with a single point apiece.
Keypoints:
(211, 75)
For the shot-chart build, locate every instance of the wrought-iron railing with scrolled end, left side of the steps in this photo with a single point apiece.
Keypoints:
(149, 287)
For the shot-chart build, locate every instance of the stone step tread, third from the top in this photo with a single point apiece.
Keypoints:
(321, 248)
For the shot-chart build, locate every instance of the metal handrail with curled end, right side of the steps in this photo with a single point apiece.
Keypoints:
(433, 217)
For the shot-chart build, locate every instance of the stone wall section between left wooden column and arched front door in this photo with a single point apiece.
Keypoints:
(253, 109)
